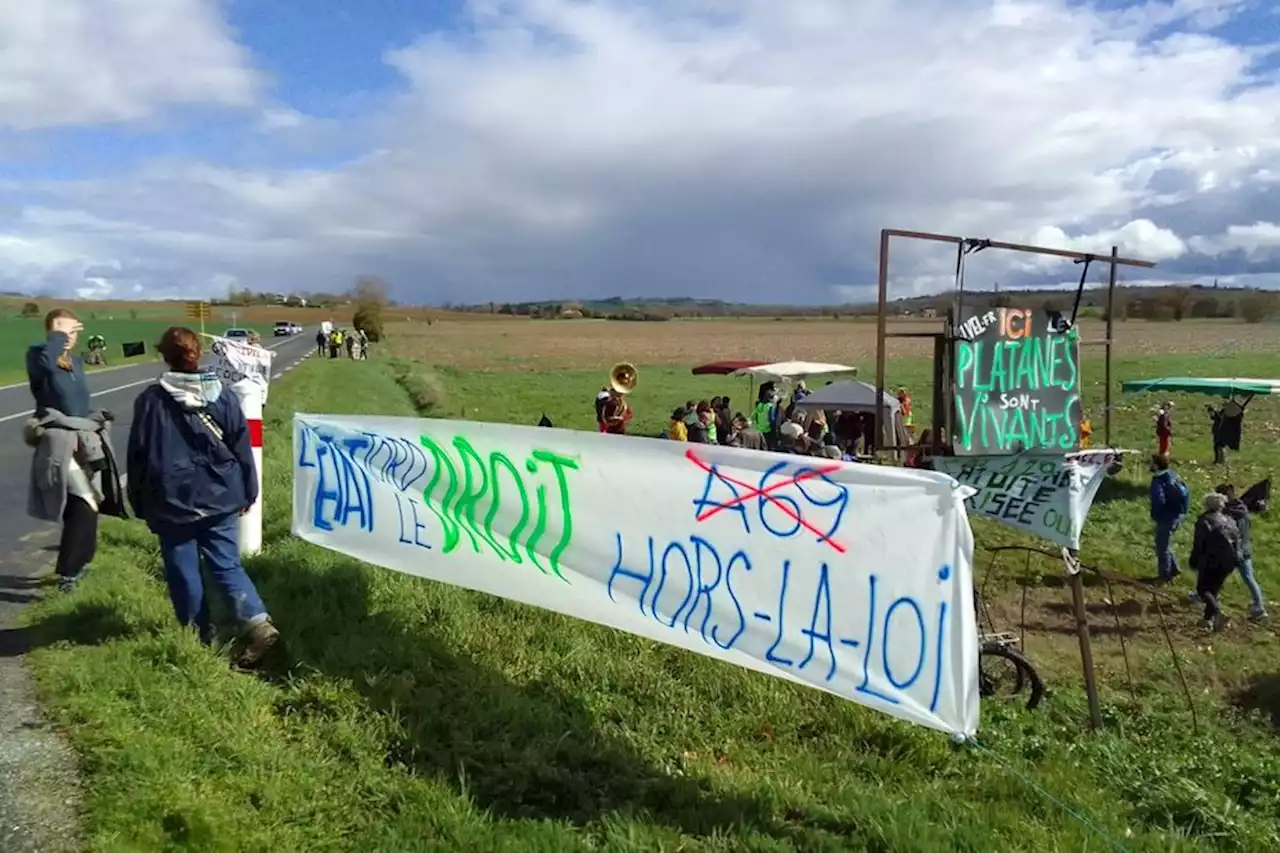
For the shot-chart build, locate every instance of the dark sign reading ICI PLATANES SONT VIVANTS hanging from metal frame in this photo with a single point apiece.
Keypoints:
(1017, 382)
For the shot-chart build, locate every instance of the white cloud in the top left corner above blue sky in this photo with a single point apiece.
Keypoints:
(86, 62)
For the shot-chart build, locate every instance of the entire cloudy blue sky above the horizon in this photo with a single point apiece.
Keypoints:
(748, 150)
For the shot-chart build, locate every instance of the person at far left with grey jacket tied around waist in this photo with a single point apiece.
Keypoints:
(74, 473)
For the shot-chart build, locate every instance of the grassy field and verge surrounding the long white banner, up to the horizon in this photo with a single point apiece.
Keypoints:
(406, 715)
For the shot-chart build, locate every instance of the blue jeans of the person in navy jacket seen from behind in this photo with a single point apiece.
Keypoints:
(218, 542)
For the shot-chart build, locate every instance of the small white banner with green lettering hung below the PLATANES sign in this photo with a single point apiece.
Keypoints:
(1048, 496)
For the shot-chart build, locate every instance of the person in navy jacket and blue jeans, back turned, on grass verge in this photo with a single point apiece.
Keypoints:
(191, 477)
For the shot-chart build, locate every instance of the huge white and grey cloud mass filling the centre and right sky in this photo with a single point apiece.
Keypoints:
(748, 150)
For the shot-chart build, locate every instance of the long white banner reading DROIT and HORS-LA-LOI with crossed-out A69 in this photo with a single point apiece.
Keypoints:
(854, 580)
